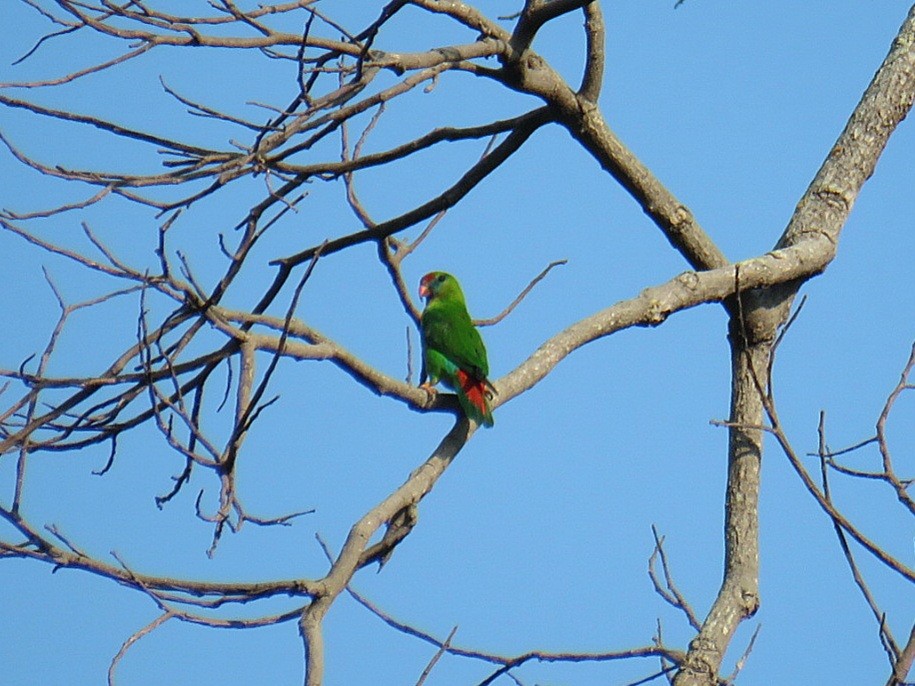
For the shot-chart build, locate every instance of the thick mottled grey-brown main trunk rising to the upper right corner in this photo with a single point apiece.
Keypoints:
(755, 319)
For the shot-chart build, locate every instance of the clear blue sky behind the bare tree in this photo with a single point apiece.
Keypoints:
(539, 534)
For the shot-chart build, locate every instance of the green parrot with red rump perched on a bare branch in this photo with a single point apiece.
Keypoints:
(453, 351)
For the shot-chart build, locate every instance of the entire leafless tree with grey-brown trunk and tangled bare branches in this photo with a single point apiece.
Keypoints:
(192, 321)
